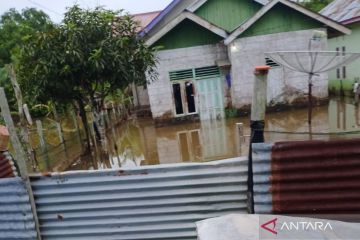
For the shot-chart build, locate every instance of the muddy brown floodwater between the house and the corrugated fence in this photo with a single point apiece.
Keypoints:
(139, 142)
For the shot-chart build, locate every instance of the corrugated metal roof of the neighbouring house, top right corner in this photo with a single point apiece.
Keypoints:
(342, 10)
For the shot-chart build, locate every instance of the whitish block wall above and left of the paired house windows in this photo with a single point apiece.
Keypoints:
(160, 91)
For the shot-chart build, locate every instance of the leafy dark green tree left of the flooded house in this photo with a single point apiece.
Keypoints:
(89, 56)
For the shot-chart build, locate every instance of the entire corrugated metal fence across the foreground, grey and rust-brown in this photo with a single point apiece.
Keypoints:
(164, 202)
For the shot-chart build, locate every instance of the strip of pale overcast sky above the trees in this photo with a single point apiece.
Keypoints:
(56, 8)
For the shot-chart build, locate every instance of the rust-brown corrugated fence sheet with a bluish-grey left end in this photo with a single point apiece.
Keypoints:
(307, 177)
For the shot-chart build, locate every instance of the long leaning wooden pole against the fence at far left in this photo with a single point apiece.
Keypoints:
(20, 155)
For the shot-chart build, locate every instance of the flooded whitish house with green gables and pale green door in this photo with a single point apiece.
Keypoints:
(210, 48)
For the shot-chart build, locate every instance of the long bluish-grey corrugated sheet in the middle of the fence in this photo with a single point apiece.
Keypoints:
(151, 202)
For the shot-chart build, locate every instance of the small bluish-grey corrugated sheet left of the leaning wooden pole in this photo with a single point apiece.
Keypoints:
(16, 218)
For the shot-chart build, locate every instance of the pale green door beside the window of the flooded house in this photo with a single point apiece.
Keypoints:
(210, 95)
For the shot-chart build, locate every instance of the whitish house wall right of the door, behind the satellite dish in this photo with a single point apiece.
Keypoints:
(284, 85)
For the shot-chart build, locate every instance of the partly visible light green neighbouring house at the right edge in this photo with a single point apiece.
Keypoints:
(346, 12)
